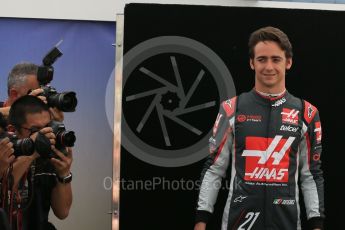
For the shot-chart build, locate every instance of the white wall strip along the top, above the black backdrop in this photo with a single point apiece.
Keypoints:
(106, 10)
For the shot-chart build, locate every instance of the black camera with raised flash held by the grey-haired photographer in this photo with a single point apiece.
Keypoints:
(66, 101)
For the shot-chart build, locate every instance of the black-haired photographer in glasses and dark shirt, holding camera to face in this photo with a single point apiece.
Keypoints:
(42, 180)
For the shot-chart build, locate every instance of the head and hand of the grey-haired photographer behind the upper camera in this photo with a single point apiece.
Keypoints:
(22, 80)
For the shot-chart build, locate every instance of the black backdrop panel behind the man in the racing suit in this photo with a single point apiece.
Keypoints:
(318, 41)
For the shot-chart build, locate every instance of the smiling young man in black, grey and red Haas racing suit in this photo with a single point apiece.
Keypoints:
(272, 142)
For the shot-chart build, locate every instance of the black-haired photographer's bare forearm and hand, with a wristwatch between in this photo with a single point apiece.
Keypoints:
(61, 199)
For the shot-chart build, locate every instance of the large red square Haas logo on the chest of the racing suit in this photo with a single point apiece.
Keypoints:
(267, 159)
